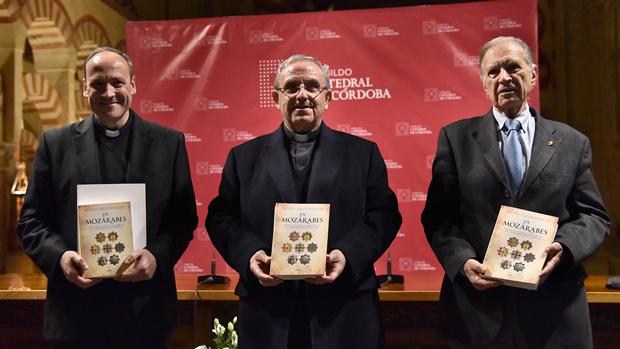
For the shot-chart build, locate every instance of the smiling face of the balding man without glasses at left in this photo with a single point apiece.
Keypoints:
(109, 87)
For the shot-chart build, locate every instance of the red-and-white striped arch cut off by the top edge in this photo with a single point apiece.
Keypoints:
(48, 24)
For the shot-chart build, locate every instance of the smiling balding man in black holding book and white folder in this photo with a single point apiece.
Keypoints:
(114, 145)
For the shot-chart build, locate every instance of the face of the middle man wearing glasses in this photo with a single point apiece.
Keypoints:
(302, 113)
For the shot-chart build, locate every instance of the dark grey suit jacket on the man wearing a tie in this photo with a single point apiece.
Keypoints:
(468, 186)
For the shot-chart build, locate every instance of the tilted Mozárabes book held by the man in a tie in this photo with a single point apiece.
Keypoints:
(516, 252)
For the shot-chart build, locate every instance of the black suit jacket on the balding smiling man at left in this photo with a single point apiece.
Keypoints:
(68, 156)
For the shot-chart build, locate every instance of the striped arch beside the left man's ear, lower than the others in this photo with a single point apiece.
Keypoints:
(42, 109)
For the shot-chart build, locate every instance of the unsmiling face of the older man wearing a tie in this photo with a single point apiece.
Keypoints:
(507, 77)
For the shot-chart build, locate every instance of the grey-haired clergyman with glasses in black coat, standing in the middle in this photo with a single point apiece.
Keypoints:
(304, 161)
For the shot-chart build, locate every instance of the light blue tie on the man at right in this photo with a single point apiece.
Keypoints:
(513, 154)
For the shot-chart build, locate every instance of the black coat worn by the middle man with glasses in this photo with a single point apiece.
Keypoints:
(349, 173)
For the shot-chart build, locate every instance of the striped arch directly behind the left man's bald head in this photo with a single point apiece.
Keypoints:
(88, 35)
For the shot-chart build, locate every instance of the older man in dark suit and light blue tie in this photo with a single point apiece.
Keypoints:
(546, 167)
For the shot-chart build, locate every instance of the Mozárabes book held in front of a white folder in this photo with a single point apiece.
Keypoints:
(104, 237)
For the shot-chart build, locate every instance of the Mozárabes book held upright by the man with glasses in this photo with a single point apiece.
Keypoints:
(299, 245)
